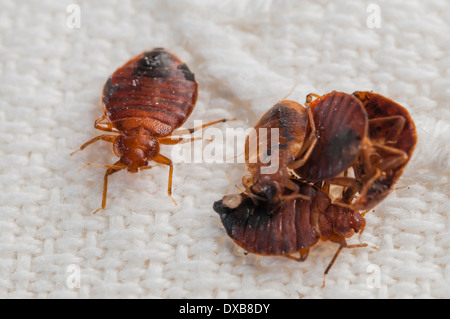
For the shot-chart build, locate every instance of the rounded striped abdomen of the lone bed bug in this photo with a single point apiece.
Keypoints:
(154, 91)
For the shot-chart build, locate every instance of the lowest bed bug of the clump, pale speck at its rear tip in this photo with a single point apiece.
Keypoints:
(294, 228)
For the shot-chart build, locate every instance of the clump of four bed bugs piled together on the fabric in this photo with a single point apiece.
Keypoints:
(288, 212)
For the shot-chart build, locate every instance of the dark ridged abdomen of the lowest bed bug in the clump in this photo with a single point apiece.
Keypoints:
(259, 230)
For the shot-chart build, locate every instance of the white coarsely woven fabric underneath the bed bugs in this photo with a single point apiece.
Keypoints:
(246, 55)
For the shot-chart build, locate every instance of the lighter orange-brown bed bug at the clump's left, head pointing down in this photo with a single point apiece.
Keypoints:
(290, 148)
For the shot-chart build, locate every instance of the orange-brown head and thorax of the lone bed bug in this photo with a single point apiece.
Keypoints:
(136, 150)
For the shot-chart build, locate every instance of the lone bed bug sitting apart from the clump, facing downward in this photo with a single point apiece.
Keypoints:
(143, 102)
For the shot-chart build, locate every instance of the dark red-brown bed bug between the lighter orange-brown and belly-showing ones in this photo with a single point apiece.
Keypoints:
(341, 126)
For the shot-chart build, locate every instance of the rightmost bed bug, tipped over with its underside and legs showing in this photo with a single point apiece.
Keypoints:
(392, 139)
